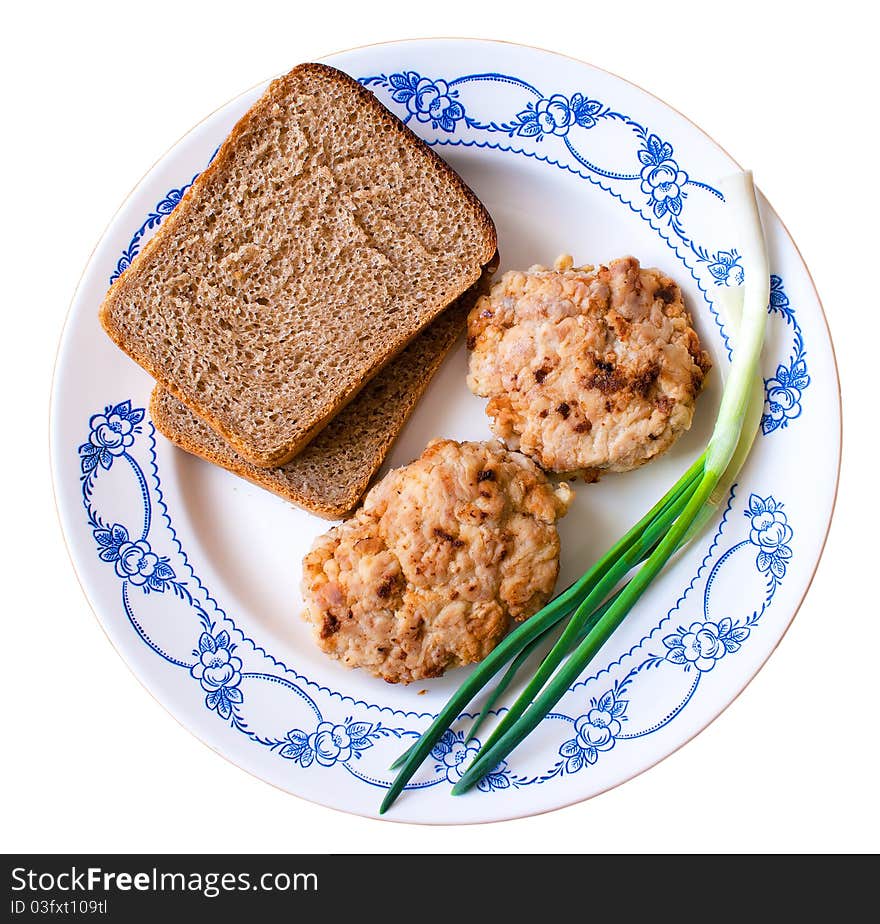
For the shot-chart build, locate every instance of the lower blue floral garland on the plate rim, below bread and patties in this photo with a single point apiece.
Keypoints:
(216, 664)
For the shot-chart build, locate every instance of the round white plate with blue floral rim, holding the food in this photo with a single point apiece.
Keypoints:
(194, 573)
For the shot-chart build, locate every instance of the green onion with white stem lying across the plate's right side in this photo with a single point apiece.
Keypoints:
(596, 604)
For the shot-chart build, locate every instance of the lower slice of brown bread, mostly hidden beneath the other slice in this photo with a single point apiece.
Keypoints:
(332, 473)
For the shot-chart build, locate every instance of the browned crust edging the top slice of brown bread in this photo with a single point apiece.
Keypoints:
(128, 281)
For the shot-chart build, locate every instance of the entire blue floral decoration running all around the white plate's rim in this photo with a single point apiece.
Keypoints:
(147, 556)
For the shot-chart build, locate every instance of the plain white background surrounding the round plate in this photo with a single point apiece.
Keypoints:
(94, 93)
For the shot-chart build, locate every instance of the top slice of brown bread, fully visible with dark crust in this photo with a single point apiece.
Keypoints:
(323, 237)
